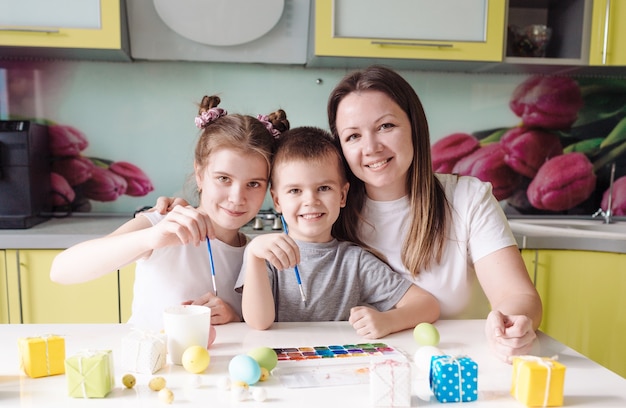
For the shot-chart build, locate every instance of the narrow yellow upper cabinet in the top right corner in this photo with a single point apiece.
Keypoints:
(608, 33)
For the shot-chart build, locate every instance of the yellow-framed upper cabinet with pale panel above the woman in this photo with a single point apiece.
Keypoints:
(406, 29)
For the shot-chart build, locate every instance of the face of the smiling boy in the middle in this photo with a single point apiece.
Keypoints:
(310, 195)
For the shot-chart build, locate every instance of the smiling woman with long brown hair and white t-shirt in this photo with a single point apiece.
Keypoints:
(451, 228)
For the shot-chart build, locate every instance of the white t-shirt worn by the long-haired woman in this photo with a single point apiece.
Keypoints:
(478, 228)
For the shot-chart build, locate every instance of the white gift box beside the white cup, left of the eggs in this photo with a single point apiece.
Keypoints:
(144, 352)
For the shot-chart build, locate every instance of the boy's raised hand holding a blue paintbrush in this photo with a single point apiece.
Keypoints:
(278, 249)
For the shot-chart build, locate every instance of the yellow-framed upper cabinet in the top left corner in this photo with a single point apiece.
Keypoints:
(72, 29)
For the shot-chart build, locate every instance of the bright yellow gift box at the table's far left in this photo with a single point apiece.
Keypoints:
(42, 356)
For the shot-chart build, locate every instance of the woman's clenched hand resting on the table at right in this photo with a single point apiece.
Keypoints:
(509, 335)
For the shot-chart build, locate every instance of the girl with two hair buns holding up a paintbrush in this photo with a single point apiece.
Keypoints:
(231, 167)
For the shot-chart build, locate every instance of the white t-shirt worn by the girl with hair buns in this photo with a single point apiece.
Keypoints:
(175, 274)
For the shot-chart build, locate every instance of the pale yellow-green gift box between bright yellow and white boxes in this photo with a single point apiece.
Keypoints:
(90, 374)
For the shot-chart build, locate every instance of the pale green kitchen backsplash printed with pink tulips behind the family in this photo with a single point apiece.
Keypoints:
(123, 134)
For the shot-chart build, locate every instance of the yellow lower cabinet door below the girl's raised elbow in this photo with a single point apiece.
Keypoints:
(43, 301)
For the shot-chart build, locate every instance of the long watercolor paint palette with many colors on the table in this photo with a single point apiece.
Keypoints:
(336, 354)
